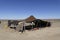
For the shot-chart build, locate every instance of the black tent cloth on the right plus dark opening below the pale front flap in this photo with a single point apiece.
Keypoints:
(39, 24)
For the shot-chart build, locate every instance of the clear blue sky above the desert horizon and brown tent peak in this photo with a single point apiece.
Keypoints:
(21, 9)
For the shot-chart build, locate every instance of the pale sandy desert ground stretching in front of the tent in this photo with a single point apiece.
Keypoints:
(51, 33)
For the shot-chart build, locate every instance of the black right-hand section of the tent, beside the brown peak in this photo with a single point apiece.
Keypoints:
(41, 23)
